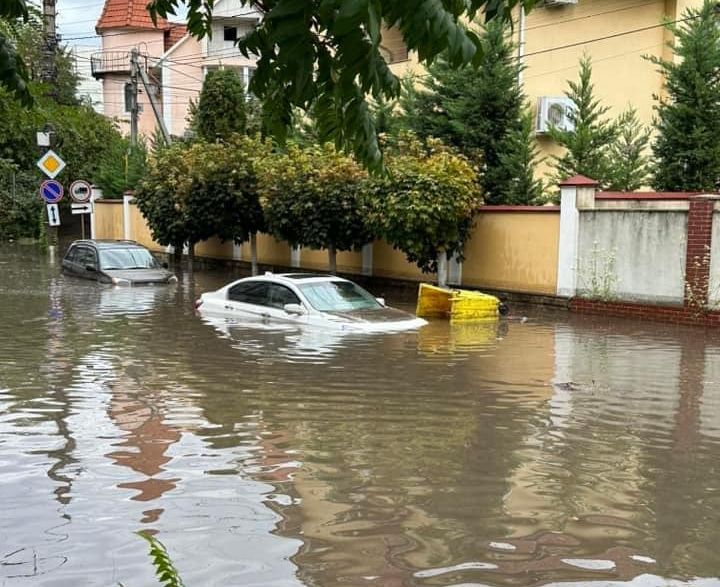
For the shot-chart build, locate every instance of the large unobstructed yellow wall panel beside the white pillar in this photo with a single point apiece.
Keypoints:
(513, 251)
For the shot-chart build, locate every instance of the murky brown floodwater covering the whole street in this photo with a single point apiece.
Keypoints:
(553, 449)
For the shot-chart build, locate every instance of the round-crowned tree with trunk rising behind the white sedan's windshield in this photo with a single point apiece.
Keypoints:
(312, 198)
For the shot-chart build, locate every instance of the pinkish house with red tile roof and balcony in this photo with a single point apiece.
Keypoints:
(175, 62)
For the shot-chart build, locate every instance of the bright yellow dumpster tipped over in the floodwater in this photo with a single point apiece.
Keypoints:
(457, 305)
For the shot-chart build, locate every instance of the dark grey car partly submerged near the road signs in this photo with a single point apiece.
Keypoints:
(115, 262)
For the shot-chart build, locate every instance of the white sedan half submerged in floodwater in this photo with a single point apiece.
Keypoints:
(308, 299)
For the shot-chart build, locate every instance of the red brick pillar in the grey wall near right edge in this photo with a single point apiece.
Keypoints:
(697, 259)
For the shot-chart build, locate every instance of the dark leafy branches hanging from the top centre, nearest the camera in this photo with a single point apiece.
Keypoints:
(327, 55)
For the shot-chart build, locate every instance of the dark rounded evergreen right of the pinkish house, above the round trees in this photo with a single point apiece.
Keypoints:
(220, 111)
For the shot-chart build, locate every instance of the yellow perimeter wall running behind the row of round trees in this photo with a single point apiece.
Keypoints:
(508, 250)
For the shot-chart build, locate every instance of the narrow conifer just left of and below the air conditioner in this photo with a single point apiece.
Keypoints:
(519, 160)
